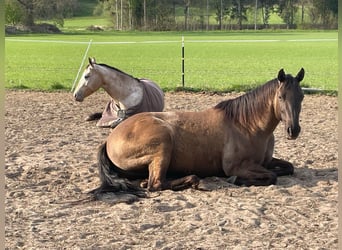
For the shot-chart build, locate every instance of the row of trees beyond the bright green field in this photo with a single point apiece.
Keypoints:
(182, 14)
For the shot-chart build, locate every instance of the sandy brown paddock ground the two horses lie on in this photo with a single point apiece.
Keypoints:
(50, 160)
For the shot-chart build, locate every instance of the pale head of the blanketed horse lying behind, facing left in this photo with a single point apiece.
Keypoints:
(89, 82)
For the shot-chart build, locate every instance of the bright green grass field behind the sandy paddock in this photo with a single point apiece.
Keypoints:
(215, 61)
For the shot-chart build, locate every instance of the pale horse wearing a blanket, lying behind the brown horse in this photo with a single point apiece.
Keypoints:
(130, 95)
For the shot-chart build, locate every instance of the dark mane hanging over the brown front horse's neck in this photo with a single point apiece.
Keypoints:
(248, 110)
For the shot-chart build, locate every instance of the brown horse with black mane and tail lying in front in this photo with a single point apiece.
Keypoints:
(234, 138)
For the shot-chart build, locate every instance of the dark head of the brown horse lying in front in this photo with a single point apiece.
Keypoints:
(288, 98)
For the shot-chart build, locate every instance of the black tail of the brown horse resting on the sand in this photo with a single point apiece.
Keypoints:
(110, 181)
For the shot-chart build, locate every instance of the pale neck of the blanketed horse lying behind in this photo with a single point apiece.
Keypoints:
(125, 90)
